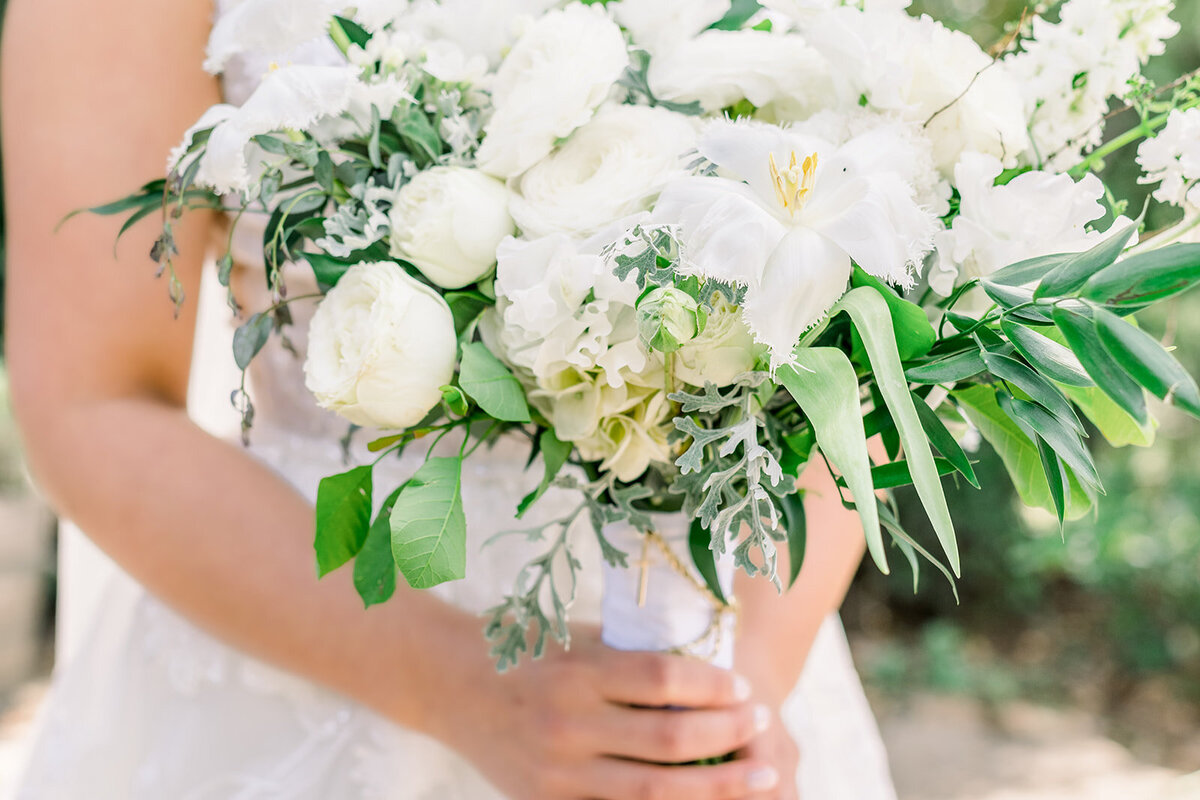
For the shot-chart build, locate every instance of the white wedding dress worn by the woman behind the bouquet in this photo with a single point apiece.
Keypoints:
(147, 707)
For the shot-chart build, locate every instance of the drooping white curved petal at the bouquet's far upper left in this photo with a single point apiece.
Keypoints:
(291, 98)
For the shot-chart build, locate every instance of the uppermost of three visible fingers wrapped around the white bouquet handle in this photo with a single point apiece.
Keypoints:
(655, 679)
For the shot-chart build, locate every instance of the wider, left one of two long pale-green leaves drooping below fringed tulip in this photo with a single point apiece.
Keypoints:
(826, 388)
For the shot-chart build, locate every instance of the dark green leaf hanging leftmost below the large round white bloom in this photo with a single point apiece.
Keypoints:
(344, 516)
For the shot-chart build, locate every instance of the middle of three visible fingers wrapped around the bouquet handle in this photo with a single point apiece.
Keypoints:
(676, 737)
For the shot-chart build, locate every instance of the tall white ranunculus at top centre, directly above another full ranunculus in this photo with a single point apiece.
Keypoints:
(550, 85)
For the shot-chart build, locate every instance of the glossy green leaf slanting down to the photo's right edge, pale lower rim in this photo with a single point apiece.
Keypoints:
(1145, 360)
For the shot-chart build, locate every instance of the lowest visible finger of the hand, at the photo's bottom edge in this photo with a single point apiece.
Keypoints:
(619, 780)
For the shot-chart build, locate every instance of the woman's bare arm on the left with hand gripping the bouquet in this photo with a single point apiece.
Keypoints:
(95, 94)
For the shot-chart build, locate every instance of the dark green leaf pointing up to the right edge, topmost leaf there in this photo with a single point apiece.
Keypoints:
(1147, 279)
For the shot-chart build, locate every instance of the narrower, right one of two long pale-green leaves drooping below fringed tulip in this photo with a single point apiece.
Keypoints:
(874, 323)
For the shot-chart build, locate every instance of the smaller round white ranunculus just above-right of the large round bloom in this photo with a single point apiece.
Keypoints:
(448, 221)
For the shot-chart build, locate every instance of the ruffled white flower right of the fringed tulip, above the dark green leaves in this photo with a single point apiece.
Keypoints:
(1036, 214)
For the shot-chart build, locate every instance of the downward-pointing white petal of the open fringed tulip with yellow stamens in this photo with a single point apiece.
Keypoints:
(803, 280)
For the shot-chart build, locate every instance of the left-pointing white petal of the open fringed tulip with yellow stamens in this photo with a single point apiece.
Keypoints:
(727, 233)
